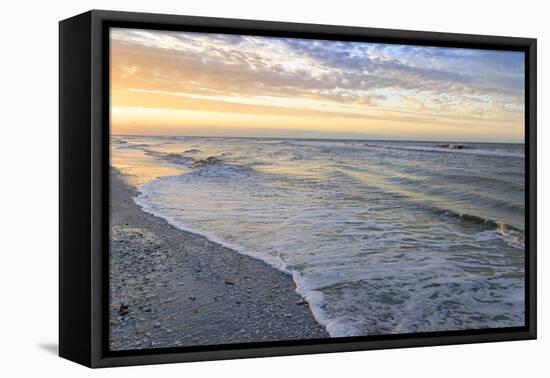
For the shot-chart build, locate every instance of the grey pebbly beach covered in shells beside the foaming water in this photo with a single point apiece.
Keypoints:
(170, 287)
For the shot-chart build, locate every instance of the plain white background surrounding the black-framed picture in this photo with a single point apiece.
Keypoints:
(29, 185)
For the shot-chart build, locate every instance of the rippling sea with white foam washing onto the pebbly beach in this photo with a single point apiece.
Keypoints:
(380, 237)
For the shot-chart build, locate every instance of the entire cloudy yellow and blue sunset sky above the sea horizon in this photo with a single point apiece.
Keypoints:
(183, 83)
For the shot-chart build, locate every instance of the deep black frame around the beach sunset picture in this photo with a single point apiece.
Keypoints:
(84, 187)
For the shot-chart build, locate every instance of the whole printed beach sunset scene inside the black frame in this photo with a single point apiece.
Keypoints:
(271, 189)
